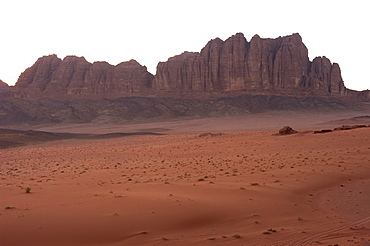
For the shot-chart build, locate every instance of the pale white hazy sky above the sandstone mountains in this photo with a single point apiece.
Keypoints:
(154, 30)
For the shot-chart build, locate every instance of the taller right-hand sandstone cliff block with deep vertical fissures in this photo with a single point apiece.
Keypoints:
(261, 64)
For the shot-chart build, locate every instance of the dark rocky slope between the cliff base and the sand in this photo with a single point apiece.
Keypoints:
(142, 109)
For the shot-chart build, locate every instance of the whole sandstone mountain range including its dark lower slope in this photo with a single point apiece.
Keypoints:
(231, 77)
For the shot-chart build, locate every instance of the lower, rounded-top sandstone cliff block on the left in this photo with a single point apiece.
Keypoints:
(75, 76)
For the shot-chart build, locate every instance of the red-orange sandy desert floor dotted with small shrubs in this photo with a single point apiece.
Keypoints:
(246, 186)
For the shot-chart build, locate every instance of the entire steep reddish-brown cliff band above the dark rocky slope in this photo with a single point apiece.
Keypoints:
(262, 66)
